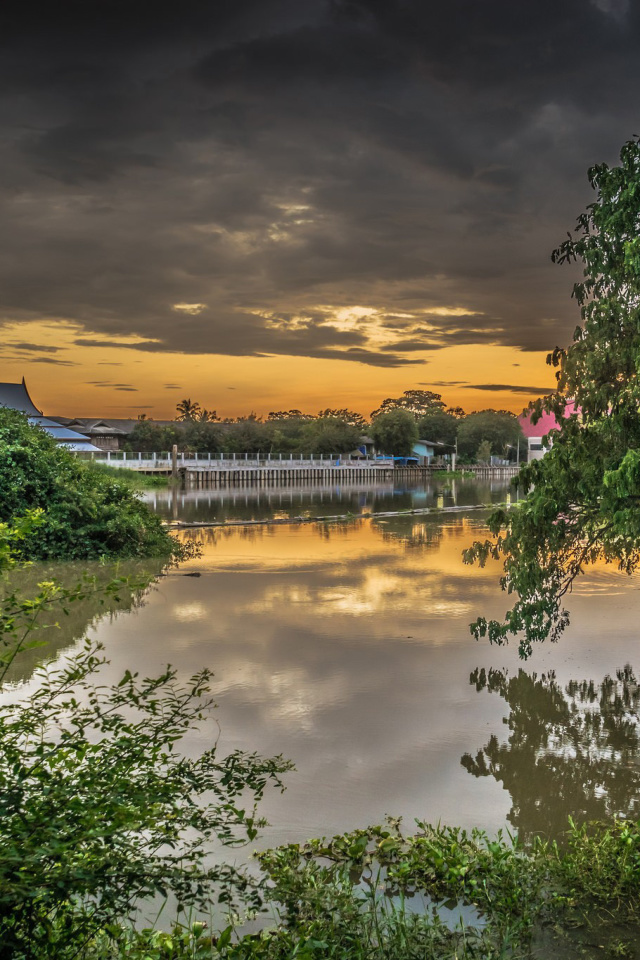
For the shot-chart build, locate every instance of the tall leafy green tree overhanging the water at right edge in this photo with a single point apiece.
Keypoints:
(583, 496)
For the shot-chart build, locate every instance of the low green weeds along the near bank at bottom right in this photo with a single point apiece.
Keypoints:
(442, 894)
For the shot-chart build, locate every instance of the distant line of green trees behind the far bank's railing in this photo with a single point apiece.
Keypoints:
(394, 427)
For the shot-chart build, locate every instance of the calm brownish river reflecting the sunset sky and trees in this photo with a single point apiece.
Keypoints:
(346, 648)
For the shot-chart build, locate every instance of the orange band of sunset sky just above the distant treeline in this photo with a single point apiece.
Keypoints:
(121, 381)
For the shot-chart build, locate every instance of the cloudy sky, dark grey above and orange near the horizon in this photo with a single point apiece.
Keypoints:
(266, 204)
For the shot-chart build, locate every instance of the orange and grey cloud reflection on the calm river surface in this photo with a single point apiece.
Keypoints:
(347, 649)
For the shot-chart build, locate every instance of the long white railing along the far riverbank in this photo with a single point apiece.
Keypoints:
(226, 461)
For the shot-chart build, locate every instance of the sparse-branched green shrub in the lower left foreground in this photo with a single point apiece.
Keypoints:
(98, 807)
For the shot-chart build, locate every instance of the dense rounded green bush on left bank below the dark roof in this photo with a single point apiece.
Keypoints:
(85, 513)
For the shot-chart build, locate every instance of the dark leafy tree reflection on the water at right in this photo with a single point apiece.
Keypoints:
(572, 751)
